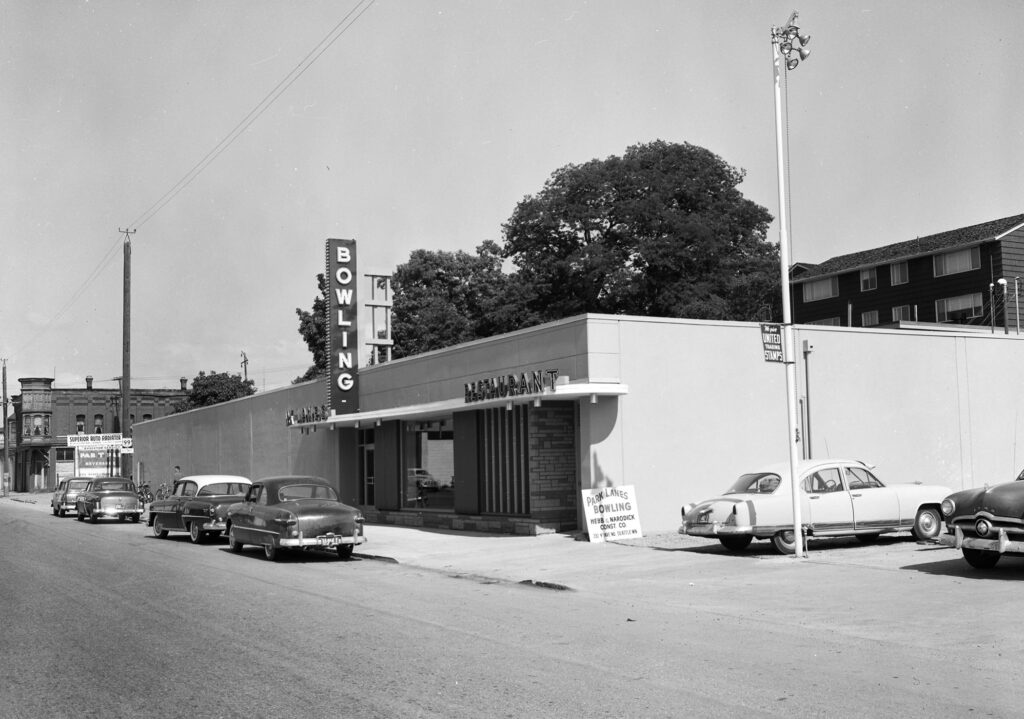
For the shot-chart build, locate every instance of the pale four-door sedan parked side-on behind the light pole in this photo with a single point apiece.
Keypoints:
(837, 498)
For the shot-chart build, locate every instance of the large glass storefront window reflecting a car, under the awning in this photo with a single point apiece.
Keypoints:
(429, 464)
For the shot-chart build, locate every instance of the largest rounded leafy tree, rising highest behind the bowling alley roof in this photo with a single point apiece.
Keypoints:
(662, 231)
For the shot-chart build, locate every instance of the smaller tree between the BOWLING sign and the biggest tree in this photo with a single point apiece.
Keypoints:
(444, 299)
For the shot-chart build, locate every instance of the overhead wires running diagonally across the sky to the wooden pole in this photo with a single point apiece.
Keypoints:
(269, 100)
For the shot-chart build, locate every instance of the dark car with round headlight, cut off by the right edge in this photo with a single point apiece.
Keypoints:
(986, 523)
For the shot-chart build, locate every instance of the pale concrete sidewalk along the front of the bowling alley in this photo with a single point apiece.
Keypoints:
(557, 562)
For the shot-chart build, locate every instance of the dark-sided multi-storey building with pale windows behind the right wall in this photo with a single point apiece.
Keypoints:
(952, 278)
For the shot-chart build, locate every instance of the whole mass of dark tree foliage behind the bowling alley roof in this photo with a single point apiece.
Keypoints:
(663, 231)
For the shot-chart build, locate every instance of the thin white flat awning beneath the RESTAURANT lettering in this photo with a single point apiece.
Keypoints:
(591, 391)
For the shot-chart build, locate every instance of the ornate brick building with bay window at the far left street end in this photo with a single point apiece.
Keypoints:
(46, 415)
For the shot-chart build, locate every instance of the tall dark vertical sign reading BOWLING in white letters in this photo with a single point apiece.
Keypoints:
(344, 328)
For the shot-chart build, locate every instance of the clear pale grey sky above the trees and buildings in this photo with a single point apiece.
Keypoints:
(234, 137)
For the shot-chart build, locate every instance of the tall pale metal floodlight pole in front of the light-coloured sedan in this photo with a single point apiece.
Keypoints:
(788, 340)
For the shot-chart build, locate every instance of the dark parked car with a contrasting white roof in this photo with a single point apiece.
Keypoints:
(198, 505)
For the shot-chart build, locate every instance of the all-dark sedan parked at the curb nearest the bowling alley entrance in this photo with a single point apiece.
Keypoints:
(301, 513)
